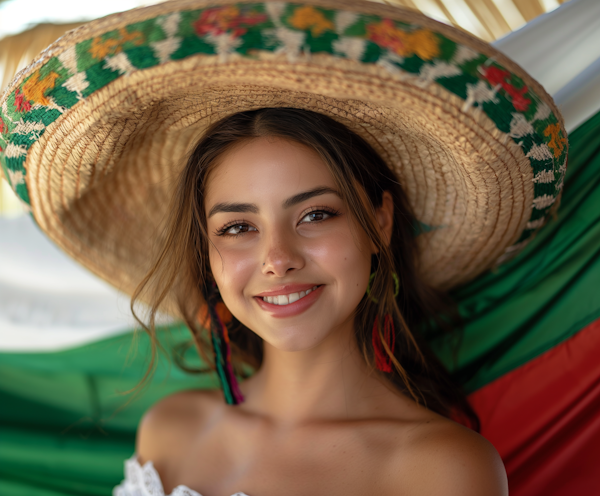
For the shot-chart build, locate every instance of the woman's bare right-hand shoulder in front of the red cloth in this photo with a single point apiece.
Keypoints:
(445, 458)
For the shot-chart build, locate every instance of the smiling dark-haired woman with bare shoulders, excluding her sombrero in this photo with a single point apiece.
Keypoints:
(301, 230)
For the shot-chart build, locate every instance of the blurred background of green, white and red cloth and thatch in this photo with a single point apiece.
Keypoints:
(70, 359)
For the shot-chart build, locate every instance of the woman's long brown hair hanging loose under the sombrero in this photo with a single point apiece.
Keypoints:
(181, 276)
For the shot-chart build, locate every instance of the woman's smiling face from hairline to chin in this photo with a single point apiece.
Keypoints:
(287, 257)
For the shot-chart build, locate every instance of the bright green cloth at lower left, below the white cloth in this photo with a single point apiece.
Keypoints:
(65, 425)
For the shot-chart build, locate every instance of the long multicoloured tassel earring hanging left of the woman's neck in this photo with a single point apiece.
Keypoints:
(219, 318)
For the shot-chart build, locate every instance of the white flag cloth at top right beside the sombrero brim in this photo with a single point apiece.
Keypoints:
(561, 50)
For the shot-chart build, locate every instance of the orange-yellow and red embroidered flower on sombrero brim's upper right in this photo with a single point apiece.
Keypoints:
(421, 42)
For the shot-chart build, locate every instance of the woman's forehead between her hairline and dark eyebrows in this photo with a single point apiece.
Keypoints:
(266, 168)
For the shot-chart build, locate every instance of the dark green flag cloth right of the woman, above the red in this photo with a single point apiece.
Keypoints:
(548, 292)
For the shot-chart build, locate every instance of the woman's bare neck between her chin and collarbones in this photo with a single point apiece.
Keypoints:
(328, 382)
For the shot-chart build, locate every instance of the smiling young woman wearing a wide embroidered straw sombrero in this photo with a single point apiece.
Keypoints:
(350, 162)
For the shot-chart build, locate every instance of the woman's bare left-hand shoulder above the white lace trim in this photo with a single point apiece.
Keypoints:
(167, 428)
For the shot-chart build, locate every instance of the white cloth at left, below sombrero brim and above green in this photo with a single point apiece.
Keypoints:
(47, 301)
